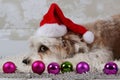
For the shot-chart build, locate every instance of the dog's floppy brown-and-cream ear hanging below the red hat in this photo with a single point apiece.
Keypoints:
(77, 42)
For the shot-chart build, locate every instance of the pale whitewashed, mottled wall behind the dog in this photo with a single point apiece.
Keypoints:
(19, 19)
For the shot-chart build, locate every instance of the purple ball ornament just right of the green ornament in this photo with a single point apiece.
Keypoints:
(82, 67)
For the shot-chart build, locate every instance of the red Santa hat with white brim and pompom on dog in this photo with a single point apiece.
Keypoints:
(55, 24)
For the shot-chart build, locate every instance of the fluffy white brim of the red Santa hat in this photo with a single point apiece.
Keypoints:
(51, 30)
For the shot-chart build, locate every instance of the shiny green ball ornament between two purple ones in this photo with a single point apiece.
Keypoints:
(66, 67)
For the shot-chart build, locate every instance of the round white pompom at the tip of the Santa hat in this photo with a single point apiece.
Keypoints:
(88, 37)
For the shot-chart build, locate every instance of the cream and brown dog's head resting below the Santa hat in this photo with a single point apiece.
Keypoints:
(55, 49)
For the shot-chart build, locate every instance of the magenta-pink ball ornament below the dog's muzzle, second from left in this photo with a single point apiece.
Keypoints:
(38, 67)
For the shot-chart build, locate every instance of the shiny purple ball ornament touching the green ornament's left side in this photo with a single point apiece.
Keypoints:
(53, 68)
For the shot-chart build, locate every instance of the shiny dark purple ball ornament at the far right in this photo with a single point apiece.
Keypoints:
(110, 68)
